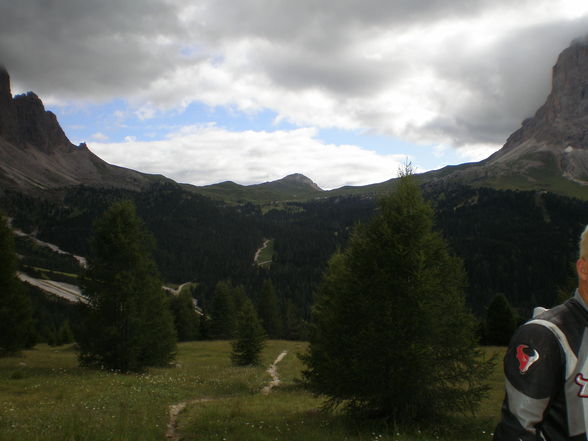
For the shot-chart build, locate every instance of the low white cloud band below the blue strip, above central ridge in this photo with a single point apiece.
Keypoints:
(203, 155)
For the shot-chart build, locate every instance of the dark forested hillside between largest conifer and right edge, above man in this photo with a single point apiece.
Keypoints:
(519, 243)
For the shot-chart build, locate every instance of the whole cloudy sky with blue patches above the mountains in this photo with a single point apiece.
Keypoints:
(342, 91)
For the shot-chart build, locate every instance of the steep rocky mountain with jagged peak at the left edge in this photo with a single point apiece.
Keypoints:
(35, 153)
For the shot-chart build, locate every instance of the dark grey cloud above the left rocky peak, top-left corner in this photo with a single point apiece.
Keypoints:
(87, 49)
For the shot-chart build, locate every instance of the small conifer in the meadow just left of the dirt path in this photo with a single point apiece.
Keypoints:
(250, 337)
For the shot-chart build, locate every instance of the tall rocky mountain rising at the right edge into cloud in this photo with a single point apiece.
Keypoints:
(550, 146)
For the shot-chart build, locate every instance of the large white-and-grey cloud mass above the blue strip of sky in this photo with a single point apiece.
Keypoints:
(464, 78)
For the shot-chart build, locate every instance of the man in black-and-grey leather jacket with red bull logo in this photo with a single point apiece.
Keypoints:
(546, 370)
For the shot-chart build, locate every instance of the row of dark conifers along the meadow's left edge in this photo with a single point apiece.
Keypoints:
(128, 322)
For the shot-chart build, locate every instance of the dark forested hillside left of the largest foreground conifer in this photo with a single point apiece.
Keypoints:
(203, 240)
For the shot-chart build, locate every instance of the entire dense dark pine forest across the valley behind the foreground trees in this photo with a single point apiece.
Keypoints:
(520, 244)
